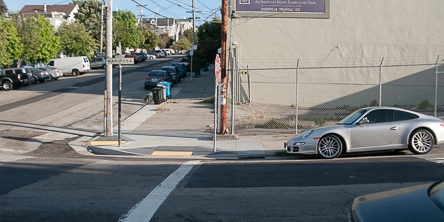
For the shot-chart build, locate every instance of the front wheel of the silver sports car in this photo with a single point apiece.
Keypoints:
(329, 147)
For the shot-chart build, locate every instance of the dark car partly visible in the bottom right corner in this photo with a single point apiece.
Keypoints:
(417, 203)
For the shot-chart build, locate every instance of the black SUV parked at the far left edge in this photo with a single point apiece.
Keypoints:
(14, 78)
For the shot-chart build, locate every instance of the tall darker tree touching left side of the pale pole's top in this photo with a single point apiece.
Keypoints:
(89, 14)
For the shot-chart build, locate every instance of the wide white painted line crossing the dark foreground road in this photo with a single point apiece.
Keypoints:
(145, 209)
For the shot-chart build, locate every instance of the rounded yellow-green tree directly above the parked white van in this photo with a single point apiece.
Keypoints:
(76, 40)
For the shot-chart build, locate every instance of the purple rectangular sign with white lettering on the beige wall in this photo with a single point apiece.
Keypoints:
(281, 8)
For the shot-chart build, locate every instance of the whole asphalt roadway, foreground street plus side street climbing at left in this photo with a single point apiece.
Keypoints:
(43, 179)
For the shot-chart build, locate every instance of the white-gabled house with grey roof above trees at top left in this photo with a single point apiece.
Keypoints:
(56, 14)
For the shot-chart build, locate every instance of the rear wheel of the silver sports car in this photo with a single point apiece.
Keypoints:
(421, 142)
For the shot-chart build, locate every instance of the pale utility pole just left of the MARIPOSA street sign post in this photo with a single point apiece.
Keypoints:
(109, 71)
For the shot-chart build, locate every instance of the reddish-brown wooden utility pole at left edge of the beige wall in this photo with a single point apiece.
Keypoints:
(223, 66)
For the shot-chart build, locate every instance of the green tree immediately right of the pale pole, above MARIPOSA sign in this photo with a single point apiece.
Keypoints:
(125, 29)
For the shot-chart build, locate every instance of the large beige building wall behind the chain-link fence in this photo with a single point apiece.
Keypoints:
(357, 33)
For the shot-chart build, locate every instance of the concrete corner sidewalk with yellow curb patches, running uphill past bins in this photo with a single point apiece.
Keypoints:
(182, 127)
